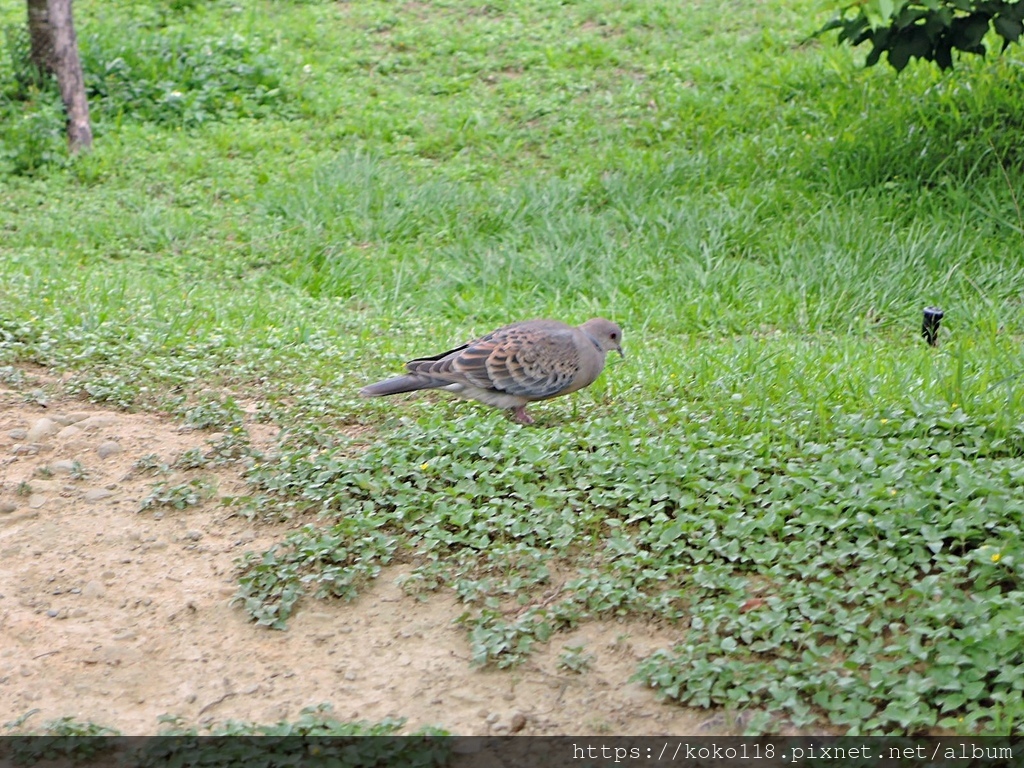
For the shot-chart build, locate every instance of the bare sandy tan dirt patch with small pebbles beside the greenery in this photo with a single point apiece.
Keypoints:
(118, 617)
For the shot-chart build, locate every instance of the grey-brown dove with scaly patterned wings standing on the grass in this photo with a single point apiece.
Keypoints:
(517, 365)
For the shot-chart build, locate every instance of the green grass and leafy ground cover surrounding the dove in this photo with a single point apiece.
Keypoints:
(289, 199)
